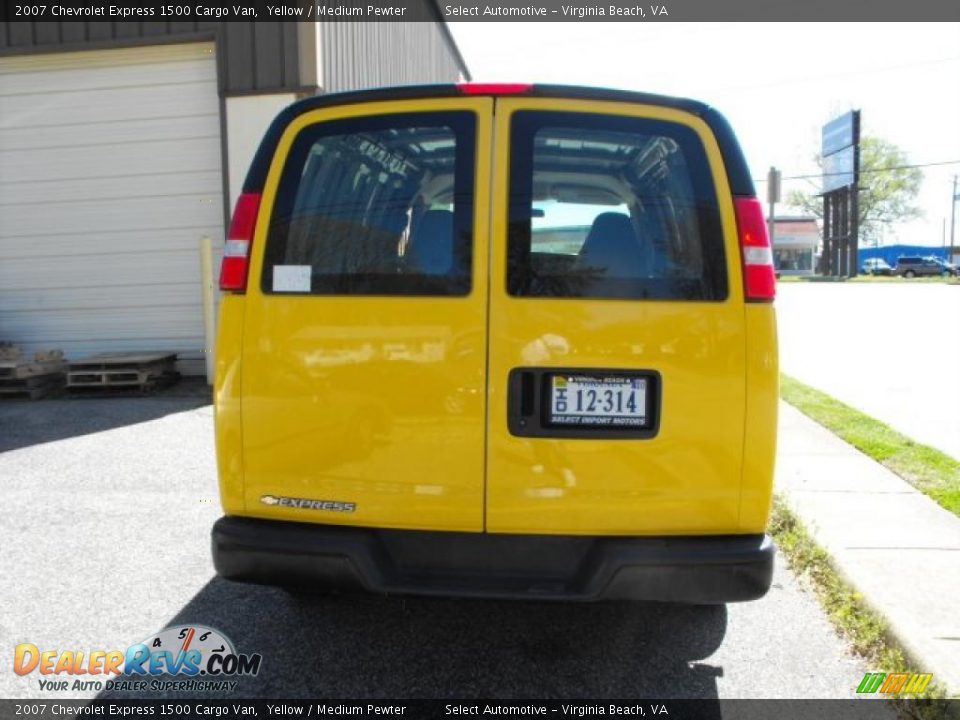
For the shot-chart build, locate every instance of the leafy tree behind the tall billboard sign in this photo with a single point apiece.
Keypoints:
(887, 189)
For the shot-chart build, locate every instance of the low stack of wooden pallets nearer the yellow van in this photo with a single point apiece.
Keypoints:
(132, 371)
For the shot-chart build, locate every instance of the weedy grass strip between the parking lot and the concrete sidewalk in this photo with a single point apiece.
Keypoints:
(864, 630)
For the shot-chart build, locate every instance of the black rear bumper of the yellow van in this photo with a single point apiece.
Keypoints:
(707, 570)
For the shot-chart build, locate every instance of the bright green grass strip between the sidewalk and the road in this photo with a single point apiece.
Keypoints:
(932, 472)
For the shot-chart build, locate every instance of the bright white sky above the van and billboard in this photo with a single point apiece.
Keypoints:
(777, 83)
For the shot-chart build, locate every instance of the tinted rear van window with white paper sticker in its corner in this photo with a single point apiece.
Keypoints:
(375, 206)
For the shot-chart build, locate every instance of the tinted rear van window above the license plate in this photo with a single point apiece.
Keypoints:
(612, 207)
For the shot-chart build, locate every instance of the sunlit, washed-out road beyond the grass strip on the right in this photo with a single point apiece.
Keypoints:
(889, 349)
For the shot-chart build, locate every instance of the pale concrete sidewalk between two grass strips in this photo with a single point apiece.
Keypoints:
(895, 545)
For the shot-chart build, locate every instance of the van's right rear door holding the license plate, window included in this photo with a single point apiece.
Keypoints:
(617, 349)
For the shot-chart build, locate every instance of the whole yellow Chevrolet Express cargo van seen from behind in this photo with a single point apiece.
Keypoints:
(498, 341)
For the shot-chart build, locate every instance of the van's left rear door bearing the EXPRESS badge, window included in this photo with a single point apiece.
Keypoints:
(363, 366)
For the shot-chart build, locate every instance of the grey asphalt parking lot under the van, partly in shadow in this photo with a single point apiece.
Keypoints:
(104, 530)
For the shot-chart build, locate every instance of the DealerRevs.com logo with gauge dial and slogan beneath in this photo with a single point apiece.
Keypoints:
(200, 657)
